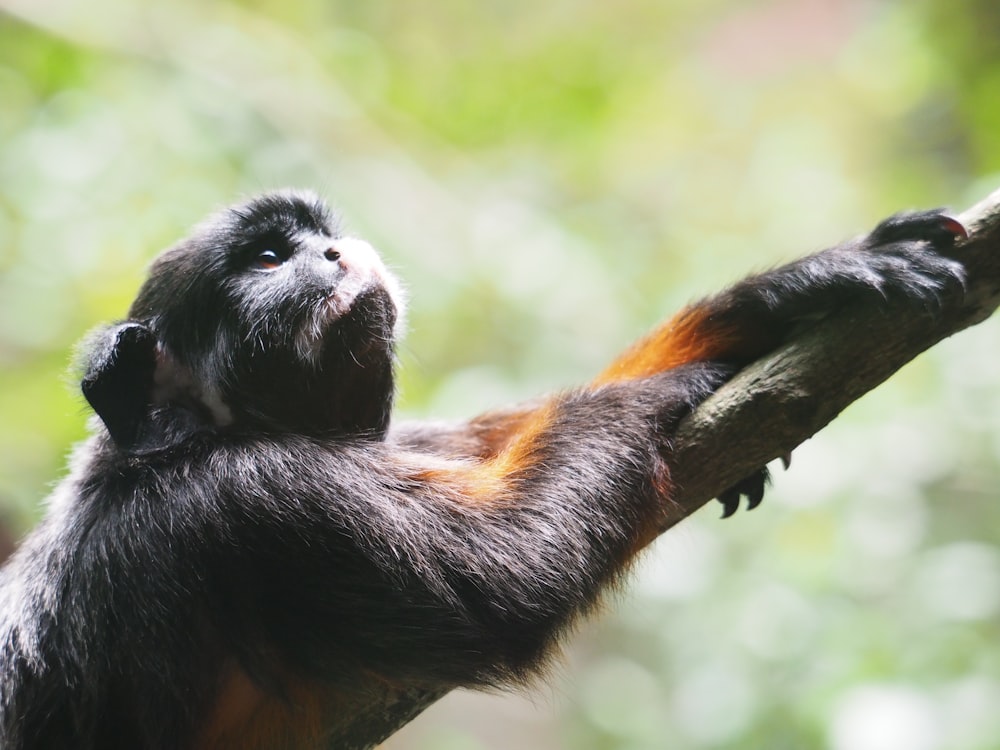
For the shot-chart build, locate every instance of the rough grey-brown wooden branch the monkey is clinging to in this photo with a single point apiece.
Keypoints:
(763, 413)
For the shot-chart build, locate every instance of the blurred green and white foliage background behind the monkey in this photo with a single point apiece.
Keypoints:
(550, 179)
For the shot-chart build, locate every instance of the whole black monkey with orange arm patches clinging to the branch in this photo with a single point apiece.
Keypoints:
(244, 534)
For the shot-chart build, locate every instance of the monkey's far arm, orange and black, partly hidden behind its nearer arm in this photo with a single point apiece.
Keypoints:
(899, 258)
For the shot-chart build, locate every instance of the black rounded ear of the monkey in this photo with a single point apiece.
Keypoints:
(119, 363)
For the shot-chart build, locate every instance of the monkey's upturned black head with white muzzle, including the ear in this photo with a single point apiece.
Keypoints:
(267, 318)
